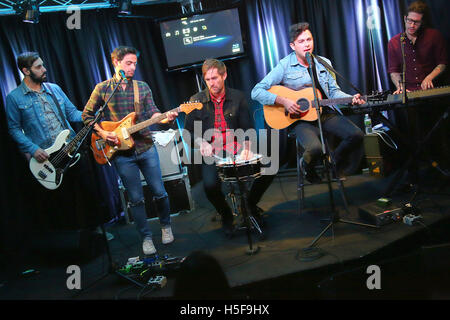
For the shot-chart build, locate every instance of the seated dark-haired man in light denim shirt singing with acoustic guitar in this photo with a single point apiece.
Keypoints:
(292, 72)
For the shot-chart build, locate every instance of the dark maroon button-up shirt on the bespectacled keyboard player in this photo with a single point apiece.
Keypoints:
(421, 58)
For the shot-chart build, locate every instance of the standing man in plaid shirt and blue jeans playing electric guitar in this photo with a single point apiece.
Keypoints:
(133, 96)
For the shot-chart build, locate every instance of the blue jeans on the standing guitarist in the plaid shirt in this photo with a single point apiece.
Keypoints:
(128, 165)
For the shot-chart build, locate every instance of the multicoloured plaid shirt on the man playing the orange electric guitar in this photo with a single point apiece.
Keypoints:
(122, 104)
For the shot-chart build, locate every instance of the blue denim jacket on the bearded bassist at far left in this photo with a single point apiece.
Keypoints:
(26, 122)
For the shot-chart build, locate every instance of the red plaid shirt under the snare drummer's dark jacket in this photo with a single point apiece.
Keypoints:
(222, 134)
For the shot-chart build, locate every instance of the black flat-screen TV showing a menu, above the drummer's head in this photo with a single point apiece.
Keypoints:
(188, 41)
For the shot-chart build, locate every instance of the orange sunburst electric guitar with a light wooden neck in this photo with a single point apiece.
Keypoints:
(124, 128)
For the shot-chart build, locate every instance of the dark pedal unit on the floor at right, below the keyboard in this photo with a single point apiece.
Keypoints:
(377, 215)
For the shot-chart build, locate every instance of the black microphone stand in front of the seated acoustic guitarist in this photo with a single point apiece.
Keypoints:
(309, 252)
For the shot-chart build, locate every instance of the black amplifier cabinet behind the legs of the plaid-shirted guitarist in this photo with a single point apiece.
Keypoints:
(178, 189)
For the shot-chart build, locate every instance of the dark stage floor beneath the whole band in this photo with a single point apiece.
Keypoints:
(405, 254)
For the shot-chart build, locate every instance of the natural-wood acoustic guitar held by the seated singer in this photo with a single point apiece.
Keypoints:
(277, 117)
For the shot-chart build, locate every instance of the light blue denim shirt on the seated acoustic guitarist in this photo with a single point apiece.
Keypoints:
(291, 74)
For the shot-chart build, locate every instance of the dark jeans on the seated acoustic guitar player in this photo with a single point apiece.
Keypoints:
(348, 153)
